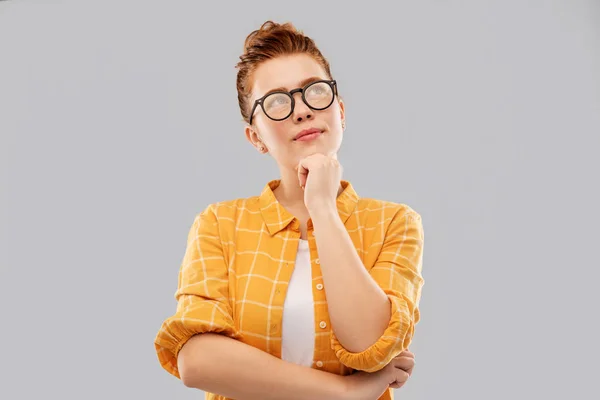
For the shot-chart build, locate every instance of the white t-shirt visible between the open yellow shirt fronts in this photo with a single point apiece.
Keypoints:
(298, 325)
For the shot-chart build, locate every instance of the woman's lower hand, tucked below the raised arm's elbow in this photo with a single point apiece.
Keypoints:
(370, 386)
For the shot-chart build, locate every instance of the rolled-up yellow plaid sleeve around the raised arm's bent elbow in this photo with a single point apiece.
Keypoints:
(398, 271)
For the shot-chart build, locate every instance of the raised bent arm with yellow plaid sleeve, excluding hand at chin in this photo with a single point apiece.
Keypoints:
(372, 312)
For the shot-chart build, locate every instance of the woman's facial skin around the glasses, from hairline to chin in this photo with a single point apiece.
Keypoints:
(279, 137)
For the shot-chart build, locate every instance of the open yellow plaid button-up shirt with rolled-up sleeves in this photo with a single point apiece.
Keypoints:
(239, 259)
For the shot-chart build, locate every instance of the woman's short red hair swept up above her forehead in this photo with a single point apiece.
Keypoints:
(268, 42)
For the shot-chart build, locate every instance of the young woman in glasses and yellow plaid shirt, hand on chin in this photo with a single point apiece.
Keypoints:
(306, 290)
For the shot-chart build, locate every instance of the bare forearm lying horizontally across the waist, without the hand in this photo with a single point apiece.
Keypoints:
(226, 366)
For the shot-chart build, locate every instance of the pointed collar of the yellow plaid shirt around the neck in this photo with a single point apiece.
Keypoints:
(276, 217)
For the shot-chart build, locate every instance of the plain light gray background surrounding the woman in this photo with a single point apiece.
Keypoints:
(116, 118)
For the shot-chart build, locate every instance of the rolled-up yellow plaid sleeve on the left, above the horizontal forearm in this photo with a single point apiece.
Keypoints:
(202, 293)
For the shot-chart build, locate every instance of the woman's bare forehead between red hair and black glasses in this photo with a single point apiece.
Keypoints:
(286, 72)
